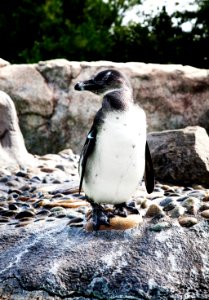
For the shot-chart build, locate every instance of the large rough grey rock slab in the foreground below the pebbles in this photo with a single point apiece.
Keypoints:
(57, 262)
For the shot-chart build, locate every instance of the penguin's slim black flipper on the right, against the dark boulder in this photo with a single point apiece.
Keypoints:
(149, 171)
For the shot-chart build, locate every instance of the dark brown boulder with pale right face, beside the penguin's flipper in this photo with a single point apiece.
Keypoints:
(181, 156)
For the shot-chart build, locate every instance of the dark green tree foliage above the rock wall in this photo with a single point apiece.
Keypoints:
(93, 30)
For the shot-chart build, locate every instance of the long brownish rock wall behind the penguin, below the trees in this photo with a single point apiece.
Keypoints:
(53, 116)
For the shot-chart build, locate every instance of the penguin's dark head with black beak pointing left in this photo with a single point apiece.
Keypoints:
(103, 82)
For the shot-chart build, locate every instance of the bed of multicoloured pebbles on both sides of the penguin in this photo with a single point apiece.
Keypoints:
(27, 197)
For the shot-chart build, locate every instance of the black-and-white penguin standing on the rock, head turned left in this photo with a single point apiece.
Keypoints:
(115, 155)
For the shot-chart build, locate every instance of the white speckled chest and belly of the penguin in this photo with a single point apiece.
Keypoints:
(117, 164)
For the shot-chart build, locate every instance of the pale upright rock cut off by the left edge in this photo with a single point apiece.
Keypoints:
(12, 146)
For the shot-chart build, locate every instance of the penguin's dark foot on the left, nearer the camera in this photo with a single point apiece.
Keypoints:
(100, 216)
